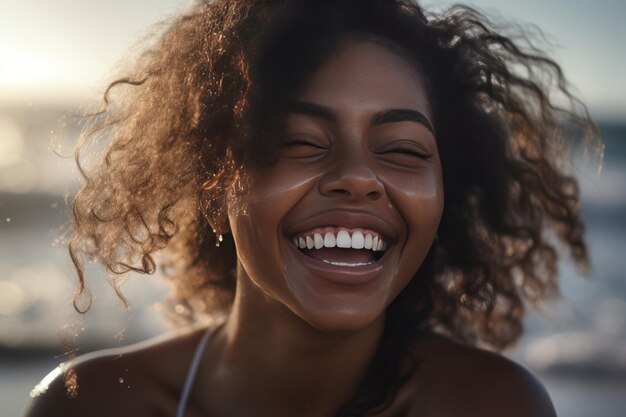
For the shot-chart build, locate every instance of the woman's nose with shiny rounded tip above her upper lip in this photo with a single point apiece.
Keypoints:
(351, 178)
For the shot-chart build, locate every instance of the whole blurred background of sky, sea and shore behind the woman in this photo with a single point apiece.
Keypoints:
(55, 58)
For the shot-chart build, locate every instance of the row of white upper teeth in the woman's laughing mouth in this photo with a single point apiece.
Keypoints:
(356, 239)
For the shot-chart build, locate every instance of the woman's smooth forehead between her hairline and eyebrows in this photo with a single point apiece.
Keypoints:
(364, 75)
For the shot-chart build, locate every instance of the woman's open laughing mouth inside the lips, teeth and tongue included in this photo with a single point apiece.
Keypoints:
(342, 246)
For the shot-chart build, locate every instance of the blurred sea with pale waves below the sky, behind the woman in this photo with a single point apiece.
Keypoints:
(577, 344)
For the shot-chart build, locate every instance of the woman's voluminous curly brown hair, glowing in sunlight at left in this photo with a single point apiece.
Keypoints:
(198, 109)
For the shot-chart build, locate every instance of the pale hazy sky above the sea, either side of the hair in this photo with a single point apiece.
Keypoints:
(63, 51)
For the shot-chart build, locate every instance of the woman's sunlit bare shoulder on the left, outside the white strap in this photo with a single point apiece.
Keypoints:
(141, 379)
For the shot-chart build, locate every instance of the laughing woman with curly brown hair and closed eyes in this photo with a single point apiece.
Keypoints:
(365, 193)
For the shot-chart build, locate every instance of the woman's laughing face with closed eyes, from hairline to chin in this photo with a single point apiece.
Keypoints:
(339, 224)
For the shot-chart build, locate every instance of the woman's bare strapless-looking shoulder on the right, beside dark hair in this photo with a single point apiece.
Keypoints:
(457, 380)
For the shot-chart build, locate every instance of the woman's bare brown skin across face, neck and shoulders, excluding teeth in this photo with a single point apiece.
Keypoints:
(359, 154)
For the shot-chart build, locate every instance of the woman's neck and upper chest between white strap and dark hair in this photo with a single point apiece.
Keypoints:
(284, 366)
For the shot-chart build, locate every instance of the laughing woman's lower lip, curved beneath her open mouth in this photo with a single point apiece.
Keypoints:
(343, 275)
